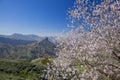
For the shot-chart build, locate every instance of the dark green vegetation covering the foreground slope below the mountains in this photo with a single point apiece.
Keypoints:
(20, 70)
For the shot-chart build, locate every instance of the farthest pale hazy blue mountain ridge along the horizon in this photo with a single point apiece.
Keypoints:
(17, 36)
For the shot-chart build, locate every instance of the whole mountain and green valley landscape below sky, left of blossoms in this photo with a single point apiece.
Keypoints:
(23, 59)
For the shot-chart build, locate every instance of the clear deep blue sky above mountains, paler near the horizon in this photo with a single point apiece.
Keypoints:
(41, 17)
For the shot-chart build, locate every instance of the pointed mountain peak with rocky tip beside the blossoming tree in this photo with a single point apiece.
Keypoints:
(45, 48)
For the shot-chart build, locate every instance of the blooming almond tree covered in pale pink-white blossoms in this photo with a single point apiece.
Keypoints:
(92, 50)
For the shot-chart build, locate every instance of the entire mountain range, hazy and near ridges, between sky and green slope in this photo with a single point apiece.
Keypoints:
(29, 47)
